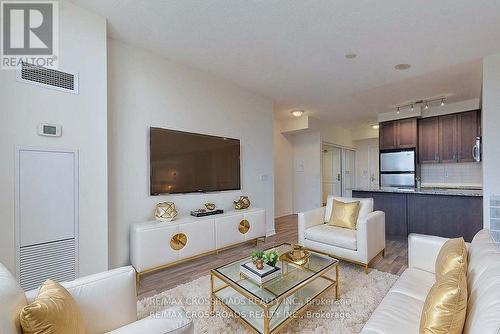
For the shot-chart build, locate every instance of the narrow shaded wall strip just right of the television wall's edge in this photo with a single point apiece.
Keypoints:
(283, 175)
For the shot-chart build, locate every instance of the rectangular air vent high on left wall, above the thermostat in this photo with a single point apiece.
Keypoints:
(48, 78)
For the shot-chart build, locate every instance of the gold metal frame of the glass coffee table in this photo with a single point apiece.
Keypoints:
(266, 306)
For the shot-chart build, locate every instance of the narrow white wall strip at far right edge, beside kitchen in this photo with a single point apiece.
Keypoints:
(491, 131)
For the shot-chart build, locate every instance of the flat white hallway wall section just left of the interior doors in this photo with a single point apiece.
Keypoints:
(306, 171)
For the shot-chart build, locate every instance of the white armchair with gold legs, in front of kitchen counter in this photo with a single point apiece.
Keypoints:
(359, 246)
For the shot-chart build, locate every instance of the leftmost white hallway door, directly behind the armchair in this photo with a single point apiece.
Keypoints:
(332, 171)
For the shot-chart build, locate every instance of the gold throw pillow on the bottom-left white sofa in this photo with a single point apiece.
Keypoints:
(54, 311)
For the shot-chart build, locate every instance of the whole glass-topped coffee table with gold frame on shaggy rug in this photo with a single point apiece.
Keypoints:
(267, 308)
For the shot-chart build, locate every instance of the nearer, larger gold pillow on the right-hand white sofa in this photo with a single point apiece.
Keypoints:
(445, 307)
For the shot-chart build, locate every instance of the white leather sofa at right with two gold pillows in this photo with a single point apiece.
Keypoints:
(400, 310)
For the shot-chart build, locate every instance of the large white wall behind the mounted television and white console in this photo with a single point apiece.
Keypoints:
(147, 90)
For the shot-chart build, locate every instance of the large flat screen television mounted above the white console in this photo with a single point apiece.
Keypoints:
(183, 162)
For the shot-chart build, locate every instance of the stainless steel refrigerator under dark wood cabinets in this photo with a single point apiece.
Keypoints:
(397, 169)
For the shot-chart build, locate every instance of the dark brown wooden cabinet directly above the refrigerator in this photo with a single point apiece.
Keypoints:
(398, 134)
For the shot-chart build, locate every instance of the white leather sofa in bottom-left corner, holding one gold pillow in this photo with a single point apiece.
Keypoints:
(107, 301)
